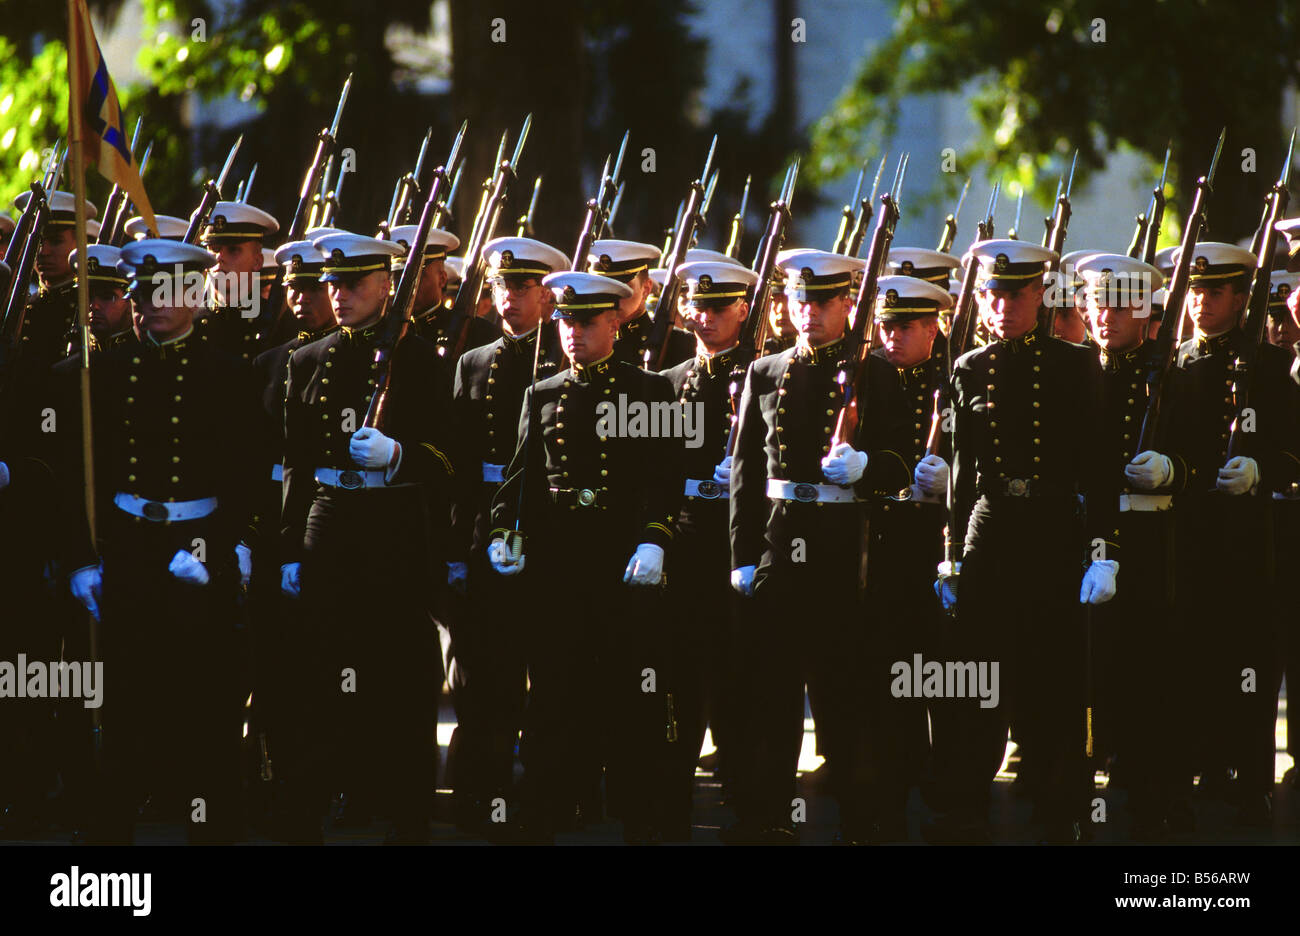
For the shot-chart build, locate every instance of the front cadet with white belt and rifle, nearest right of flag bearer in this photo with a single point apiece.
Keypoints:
(363, 528)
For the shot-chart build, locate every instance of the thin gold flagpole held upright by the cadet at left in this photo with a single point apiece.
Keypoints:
(75, 146)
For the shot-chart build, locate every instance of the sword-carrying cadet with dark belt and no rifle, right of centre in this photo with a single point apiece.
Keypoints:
(1029, 443)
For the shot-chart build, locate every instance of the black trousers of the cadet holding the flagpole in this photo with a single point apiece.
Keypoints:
(172, 694)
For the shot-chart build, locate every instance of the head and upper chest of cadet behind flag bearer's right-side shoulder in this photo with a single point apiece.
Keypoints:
(235, 235)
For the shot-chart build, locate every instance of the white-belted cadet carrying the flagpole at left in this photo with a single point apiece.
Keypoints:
(174, 476)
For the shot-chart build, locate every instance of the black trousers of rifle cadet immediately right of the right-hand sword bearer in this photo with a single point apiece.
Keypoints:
(1142, 658)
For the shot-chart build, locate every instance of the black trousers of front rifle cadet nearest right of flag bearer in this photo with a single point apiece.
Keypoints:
(375, 671)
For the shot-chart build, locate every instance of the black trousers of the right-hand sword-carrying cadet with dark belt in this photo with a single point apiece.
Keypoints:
(1019, 606)
